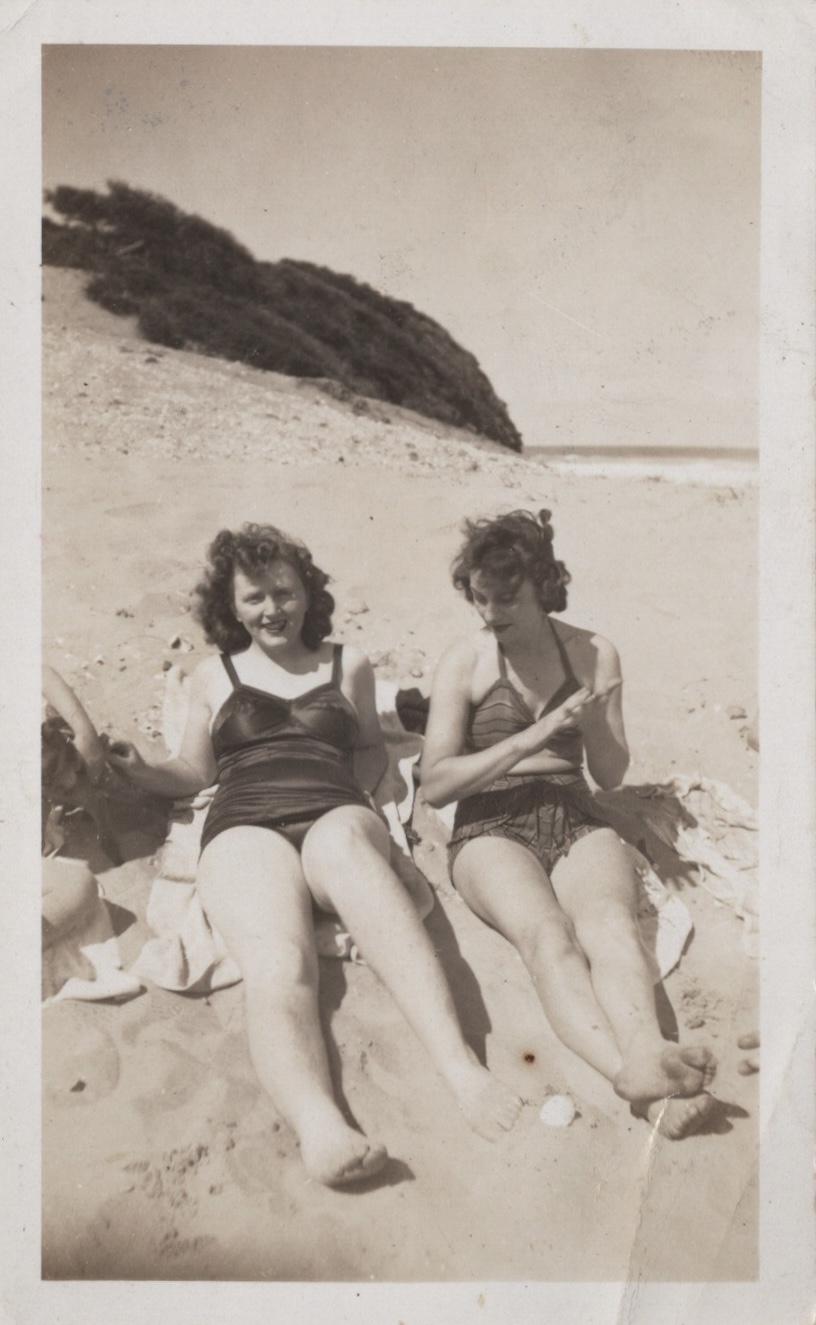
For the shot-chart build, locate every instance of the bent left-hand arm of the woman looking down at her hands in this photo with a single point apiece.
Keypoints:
(447, 773)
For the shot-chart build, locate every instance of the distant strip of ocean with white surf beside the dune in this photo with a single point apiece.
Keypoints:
(715, 466)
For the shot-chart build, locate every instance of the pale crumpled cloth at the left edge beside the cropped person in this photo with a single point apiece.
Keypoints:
(87, 964)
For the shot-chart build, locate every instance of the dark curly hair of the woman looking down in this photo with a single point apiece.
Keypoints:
(512, 549)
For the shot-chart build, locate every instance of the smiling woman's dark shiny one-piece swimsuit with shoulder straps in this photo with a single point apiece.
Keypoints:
(283, 764)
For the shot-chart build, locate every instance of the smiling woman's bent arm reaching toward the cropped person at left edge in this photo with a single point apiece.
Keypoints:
(195, 765)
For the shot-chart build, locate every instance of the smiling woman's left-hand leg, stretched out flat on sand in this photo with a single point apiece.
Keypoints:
(254, 891)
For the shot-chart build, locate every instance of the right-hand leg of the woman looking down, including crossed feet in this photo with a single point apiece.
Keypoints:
(597, 888)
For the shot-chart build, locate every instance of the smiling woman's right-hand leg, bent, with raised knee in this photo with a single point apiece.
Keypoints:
(346, 865)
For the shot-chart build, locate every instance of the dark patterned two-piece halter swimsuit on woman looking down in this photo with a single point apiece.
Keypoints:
(546, 813)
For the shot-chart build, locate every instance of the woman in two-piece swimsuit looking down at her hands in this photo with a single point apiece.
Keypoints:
(513, 714)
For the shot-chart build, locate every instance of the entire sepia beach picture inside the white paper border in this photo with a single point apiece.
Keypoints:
(401, 712)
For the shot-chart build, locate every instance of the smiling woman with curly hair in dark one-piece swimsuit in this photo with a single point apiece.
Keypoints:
(287, 723)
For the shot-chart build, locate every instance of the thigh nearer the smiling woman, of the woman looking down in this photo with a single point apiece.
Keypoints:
(505, 886)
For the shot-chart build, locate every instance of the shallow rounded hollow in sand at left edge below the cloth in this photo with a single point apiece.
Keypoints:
(80, 1067)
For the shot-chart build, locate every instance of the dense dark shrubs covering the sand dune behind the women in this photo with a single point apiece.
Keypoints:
(193, 286)
